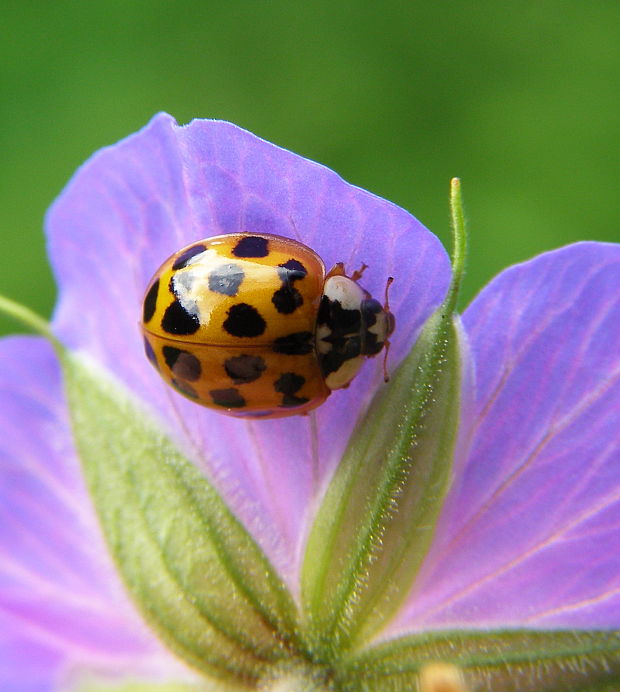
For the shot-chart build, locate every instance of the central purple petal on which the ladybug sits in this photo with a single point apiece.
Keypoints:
(134, 204)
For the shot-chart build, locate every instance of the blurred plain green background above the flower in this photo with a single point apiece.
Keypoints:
(522, 100)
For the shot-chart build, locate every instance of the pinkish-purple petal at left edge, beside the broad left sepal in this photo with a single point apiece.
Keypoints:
(61, 603)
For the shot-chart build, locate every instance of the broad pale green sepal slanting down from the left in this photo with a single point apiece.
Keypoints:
(195, 573)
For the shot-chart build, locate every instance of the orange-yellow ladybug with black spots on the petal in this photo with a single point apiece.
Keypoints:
(251, 325)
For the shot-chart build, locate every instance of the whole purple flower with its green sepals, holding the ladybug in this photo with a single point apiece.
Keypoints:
(517, 527)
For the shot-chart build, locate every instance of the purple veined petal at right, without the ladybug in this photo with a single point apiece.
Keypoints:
(531, 530)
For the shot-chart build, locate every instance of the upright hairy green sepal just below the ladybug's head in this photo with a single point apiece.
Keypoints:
(377, 518)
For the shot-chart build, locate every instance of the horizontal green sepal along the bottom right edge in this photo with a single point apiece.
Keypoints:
(492, 661)
